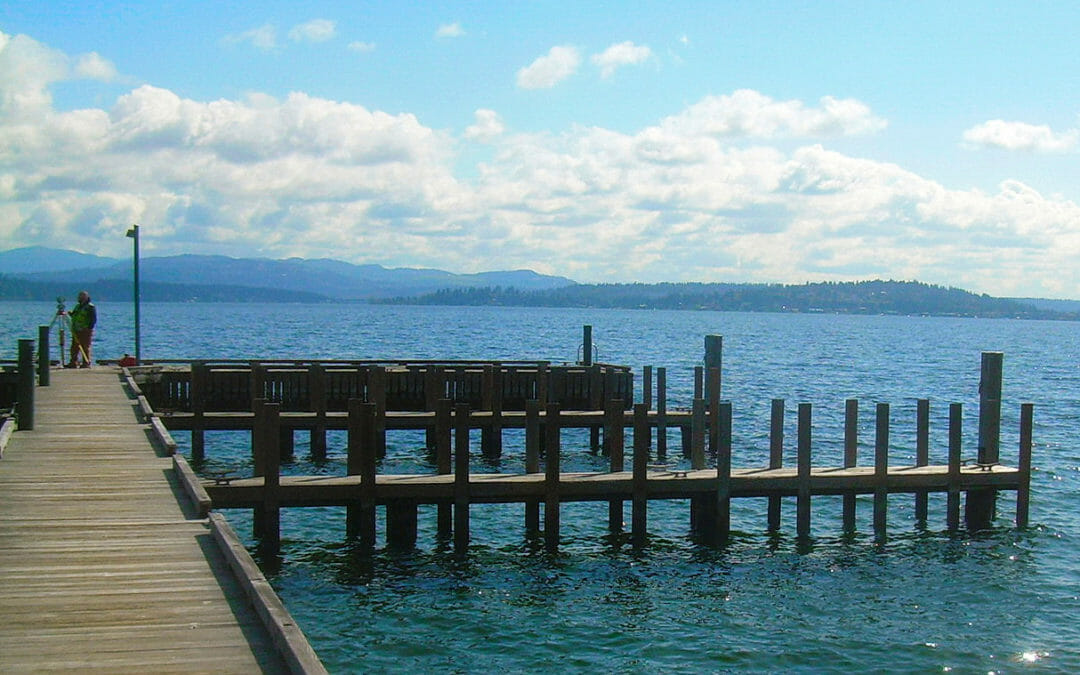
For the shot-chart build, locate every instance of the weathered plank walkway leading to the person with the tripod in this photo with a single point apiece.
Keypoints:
(105, 565)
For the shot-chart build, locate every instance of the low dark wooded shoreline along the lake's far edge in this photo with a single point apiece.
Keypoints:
(861, 298)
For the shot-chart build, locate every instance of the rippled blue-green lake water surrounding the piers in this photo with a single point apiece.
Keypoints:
(923, 600)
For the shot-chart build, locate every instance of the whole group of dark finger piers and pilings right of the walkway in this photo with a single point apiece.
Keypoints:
(447, 410)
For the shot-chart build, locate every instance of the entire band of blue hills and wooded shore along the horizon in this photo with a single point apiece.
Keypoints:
(38, 274)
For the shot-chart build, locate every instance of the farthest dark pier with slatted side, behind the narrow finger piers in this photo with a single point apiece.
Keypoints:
(314, 396)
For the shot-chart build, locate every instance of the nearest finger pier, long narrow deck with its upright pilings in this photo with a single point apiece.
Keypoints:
(709, 491)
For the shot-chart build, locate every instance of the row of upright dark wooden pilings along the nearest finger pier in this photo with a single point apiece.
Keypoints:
(710, 509)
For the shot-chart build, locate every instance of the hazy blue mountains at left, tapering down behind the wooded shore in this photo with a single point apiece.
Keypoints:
(43, 274)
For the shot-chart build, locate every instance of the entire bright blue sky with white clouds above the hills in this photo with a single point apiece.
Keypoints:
(765, 142)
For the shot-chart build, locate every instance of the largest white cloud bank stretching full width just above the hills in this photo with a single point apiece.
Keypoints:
(683, 200)
